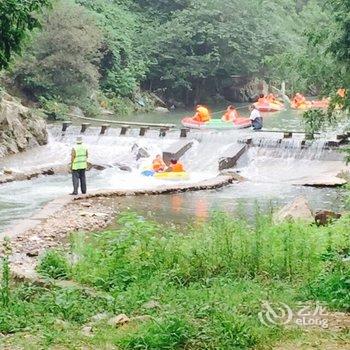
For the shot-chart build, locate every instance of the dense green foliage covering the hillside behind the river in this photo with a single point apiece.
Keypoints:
(184, 50)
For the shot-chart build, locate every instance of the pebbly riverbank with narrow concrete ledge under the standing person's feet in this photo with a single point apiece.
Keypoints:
(51, 226)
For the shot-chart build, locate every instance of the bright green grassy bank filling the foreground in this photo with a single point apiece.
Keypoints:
(198, 288)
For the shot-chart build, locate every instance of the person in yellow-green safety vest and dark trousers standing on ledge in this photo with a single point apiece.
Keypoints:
(79, 156)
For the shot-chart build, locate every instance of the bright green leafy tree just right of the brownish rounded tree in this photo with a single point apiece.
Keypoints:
(123, 63)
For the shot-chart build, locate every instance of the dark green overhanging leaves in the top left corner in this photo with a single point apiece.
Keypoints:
(16, 19)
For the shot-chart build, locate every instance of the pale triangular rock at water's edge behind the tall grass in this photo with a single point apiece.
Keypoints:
(297, 210)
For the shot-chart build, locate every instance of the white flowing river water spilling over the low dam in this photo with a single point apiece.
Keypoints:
(270, 169)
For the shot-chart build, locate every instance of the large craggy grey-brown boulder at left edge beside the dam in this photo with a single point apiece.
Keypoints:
(20, 128)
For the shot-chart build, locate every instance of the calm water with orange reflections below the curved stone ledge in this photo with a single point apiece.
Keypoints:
(197, 206)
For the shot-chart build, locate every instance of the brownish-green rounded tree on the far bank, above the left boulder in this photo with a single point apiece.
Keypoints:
(63, 60)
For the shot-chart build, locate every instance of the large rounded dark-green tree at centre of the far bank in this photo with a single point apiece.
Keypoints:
(203, 45)
